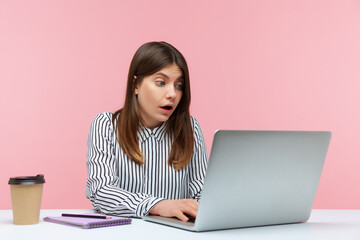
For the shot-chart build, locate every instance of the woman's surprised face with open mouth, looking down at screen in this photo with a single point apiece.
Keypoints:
(159, 94)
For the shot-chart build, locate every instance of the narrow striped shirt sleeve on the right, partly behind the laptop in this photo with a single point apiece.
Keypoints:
(198, 162)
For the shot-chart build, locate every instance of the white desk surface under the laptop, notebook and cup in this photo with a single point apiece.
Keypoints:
(323, 224)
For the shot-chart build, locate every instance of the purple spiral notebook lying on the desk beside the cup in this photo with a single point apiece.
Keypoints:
(89, 222)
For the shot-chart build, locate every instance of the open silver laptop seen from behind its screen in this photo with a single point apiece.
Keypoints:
(258, 178)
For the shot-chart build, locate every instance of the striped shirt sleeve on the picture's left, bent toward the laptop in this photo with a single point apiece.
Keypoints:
(102, 183)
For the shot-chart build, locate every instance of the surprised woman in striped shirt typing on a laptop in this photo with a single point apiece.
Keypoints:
(150, 156)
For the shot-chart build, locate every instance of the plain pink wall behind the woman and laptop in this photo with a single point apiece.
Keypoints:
(259, 65)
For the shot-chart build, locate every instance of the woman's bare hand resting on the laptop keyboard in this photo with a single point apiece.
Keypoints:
(176, 208)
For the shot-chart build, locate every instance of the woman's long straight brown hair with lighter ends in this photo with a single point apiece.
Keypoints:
(149, 59)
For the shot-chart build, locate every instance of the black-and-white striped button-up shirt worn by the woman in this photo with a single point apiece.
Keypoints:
(116, 185)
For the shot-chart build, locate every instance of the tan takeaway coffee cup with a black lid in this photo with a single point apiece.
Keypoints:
(26, 195)
